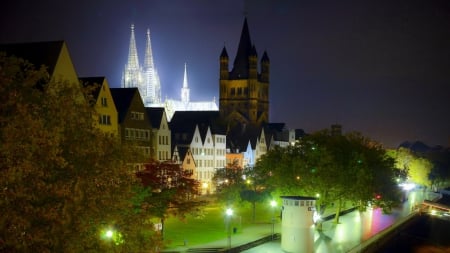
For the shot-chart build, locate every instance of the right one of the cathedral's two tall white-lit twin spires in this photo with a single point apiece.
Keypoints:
(151, 78)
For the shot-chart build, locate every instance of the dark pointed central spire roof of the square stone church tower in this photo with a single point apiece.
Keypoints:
(245, 49)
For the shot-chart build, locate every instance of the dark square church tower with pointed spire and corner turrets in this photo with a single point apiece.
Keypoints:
(244, 92)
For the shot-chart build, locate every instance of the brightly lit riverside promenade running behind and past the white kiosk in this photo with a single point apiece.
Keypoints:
(353, 229)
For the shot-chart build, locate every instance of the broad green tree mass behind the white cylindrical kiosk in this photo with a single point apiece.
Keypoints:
(332, 168)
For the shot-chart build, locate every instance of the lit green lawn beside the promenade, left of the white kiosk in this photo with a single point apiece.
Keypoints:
(212, 225)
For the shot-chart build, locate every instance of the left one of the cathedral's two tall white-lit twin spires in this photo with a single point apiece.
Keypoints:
(132, 76)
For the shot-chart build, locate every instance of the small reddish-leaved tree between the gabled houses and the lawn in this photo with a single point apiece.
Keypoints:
(172, 190)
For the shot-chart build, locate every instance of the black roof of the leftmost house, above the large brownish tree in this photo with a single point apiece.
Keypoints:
(37, 53)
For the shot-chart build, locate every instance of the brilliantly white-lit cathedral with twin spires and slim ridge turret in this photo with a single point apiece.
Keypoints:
(146, 79)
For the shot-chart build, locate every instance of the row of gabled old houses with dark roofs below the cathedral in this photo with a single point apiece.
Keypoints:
(197, 140)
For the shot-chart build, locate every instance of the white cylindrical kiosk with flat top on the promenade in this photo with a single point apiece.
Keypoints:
(297, 230)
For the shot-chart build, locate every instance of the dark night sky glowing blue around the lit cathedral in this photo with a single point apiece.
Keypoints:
(378, 67)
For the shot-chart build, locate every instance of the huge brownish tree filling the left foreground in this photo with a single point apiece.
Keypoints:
(63, 181)
